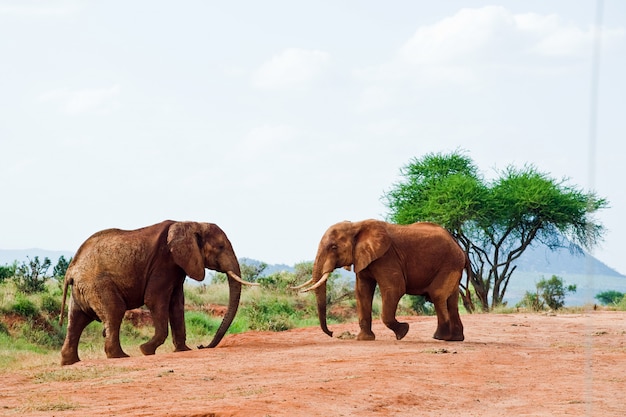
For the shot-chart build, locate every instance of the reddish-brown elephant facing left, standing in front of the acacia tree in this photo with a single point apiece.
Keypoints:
(419, 259)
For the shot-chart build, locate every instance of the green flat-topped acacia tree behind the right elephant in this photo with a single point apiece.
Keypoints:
(494, 221)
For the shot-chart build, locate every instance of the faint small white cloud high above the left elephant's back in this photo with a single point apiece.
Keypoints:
(81, 101)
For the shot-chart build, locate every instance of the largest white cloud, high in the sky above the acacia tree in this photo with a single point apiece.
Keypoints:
(465, 49)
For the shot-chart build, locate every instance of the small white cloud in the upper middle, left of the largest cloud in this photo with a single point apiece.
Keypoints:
(292, 67)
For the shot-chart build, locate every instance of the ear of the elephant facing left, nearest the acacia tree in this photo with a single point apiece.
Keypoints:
(371, 242)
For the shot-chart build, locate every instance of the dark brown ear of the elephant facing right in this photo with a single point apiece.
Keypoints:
(183, 243)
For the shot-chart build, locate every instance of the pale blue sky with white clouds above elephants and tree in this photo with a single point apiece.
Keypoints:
(277, 119)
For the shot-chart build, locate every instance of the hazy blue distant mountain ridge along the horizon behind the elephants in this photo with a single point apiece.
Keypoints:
(535, 259)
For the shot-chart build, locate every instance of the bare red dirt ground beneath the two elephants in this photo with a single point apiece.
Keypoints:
(509, 365)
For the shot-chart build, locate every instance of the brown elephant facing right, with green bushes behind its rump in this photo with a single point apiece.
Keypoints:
(117, 270)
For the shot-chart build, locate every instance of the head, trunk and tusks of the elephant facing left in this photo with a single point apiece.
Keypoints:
(345, 244)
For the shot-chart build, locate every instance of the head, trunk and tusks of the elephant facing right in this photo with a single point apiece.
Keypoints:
(196, 246)
